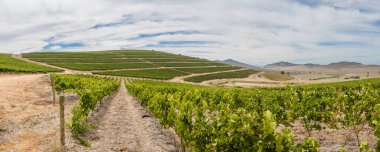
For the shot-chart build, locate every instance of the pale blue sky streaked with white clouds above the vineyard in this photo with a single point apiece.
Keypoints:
(252, 31)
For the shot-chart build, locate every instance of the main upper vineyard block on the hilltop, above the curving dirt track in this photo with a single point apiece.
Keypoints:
(121, 59)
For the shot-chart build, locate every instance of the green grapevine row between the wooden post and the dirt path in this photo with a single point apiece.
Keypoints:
(90, 91)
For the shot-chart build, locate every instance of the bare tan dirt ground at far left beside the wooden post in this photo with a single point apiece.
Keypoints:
(28, 117)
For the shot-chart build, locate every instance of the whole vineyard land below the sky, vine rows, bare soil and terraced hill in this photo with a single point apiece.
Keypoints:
(128, 100)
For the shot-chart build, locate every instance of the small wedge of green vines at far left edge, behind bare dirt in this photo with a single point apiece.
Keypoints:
(9, 64)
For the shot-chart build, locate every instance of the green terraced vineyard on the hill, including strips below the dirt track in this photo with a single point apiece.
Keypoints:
(134, 63)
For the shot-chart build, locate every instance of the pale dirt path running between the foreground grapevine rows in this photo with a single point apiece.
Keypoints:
(126, 126)
